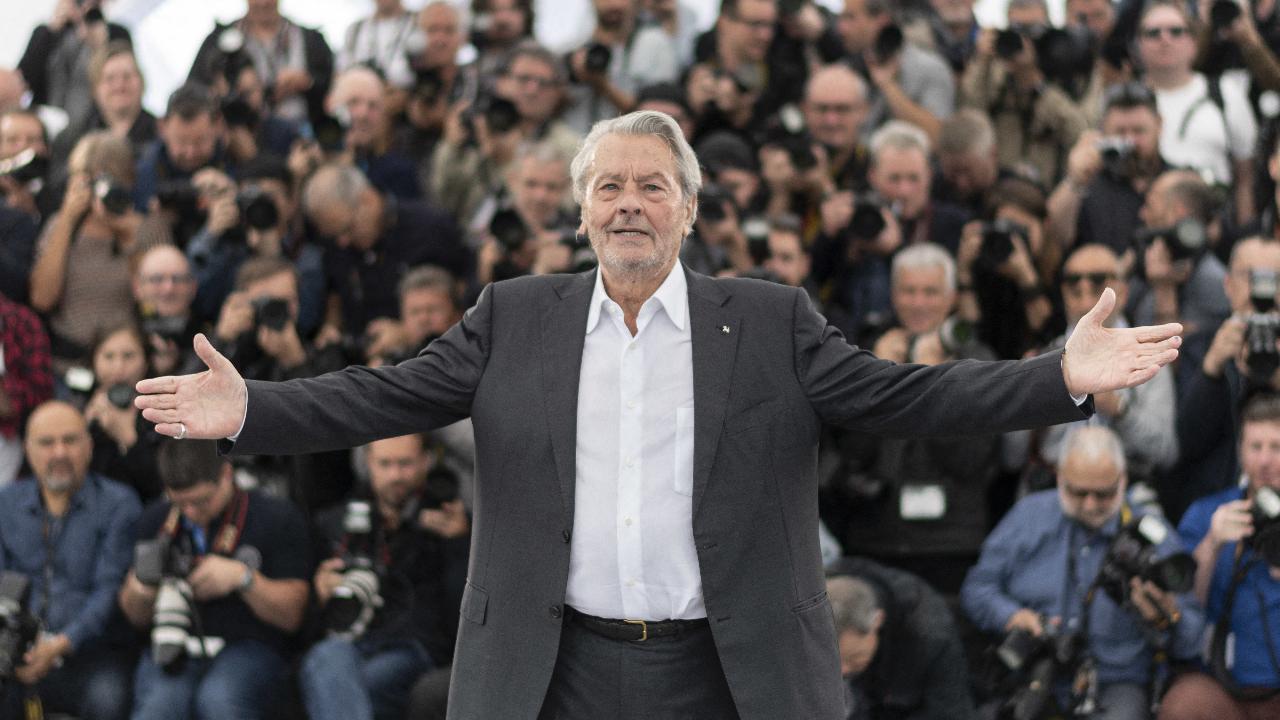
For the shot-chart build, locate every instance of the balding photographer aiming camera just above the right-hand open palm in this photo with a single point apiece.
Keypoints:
(1181, 281)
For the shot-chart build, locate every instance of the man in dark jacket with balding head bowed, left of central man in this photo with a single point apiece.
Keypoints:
(376, 240)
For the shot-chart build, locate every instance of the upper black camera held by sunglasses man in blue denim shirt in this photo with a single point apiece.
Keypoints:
(1133, 555)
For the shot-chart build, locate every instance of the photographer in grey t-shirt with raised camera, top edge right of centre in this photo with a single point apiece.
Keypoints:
(912, 84)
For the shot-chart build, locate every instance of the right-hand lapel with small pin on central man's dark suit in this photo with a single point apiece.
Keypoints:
(714, 332)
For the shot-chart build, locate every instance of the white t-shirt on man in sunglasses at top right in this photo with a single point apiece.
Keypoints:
(1195, 134)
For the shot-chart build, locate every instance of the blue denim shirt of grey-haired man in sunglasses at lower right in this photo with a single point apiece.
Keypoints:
(1025, 564)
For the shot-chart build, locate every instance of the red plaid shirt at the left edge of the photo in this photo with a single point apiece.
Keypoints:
(26, 377)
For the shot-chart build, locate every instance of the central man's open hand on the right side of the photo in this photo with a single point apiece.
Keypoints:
(1101, 359)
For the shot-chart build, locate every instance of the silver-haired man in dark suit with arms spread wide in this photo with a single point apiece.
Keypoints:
(629, 425)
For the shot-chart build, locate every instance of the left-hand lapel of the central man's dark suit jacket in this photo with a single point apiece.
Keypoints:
(564, 327)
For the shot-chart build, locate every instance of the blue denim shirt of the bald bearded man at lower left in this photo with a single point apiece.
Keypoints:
(93, 548)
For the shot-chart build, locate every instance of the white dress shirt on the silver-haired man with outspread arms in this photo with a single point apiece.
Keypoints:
(633, 552)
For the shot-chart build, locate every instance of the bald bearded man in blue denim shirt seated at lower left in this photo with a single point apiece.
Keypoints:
(70, 532)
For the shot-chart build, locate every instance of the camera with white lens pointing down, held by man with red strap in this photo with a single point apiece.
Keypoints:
(167, 562)
